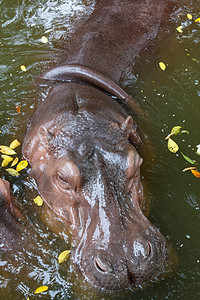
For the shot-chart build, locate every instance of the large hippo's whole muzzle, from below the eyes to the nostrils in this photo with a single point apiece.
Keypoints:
(118, 251)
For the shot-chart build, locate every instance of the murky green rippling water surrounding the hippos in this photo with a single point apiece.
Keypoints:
(170, 97)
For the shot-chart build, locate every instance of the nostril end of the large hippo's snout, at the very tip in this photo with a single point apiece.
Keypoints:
(124, 267)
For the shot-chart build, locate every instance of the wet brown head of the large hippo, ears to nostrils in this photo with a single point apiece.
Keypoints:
(88, 172)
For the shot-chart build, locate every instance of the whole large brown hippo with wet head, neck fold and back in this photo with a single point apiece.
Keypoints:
(85, 148)
